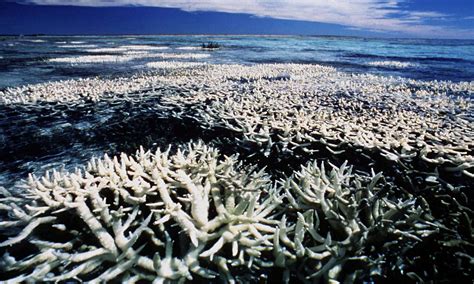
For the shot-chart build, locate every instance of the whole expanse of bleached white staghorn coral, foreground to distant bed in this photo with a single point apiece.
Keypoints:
(313, 175)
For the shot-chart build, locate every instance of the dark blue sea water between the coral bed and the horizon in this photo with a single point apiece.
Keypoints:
(25, 60)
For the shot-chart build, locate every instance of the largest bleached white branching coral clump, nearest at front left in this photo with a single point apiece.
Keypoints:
(149, 216)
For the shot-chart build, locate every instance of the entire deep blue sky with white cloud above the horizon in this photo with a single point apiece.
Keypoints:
(386, 18)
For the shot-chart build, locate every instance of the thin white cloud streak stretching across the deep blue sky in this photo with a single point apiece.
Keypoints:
(374, 15)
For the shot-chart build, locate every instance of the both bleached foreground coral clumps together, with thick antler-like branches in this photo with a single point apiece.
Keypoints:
(196, 214)
